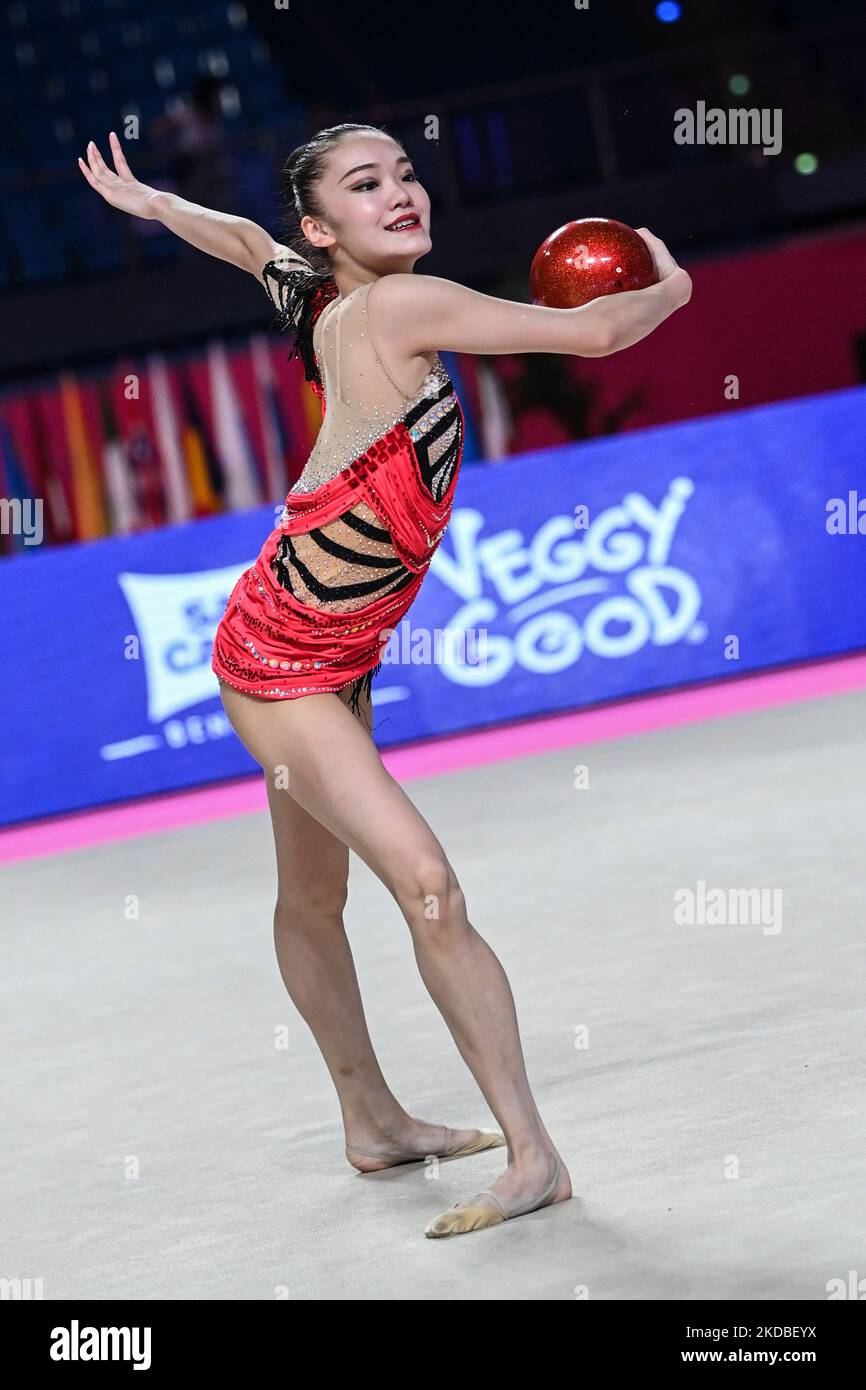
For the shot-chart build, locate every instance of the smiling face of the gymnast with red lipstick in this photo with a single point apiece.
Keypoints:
(370, 186)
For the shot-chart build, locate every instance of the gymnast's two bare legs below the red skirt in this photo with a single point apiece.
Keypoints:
(341, 797)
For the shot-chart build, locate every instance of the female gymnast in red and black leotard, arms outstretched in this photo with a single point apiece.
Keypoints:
(336, 576)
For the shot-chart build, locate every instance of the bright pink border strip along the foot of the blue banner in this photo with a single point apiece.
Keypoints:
(247, 796)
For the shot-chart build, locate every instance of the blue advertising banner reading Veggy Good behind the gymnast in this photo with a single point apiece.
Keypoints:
(571, 576)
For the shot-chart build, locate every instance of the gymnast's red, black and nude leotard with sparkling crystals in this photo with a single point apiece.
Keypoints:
(362, 523)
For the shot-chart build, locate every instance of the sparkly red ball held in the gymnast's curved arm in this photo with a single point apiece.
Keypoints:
(590, 258)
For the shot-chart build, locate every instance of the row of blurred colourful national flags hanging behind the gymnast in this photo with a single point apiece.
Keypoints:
(159, 443)
